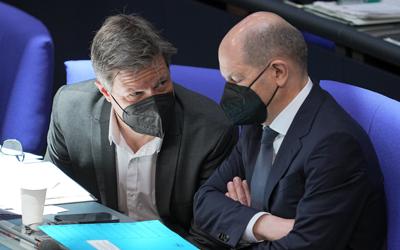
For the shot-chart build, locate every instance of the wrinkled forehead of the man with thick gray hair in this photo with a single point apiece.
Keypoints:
(131, 78)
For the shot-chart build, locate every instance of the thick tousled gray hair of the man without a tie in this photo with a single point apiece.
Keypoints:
(126, 42)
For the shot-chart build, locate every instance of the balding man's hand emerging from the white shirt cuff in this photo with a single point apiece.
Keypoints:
(270, 227)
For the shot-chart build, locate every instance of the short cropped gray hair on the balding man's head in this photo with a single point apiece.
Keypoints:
(281, 39)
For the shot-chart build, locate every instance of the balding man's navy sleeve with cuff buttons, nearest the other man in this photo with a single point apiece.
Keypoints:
(216, 215)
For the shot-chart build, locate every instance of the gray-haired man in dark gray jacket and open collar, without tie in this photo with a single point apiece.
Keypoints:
(138, 142)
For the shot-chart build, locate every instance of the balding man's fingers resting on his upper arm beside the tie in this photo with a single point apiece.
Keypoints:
(238, 190)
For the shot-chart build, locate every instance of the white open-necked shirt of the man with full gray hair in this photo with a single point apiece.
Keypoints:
(135, 174)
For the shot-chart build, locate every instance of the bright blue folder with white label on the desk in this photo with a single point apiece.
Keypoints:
(127, 235)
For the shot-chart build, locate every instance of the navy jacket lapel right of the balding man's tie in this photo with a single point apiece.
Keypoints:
(291, 144)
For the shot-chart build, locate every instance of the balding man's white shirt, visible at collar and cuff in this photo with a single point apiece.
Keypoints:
(280, 124)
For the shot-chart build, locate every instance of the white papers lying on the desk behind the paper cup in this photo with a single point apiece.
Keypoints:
(60, 187)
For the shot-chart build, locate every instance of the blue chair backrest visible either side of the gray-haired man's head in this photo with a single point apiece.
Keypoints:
(205, 81)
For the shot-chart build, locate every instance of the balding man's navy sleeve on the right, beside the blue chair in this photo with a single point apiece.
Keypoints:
(335, 191)
